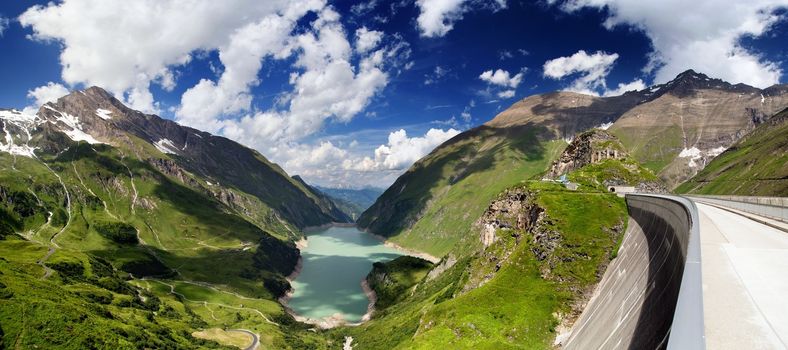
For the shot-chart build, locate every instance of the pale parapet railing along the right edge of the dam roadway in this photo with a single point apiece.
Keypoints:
(770, 207)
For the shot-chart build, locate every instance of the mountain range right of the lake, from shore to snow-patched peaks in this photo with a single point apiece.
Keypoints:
(673, 129)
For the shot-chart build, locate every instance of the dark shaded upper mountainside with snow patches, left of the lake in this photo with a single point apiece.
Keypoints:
(218, 160)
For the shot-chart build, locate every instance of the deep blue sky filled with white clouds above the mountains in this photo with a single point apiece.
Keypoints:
(351, 93)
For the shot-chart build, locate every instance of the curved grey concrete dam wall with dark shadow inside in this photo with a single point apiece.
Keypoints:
(650, 296)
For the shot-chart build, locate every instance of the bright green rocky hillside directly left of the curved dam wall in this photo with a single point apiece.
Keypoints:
(521, 289)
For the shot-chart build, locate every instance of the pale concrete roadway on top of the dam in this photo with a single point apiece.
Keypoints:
(745, 281)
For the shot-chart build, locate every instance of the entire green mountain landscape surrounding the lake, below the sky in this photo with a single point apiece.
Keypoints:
(138, 231)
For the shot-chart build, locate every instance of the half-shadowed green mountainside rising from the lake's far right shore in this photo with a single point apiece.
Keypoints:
(432, 206)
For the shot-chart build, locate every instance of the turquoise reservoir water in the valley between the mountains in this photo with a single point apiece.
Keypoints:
(335, 262)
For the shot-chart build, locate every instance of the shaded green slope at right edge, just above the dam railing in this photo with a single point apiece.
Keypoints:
(757, 165)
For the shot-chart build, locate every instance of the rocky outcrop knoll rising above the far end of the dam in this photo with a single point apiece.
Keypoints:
(587, 148)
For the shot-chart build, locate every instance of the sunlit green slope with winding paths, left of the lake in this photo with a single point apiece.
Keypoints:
(142, 223)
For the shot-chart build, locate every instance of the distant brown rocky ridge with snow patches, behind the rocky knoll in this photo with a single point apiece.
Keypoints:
(673, 128)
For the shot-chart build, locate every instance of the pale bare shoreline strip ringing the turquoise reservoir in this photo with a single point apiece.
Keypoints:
(337, 320)
